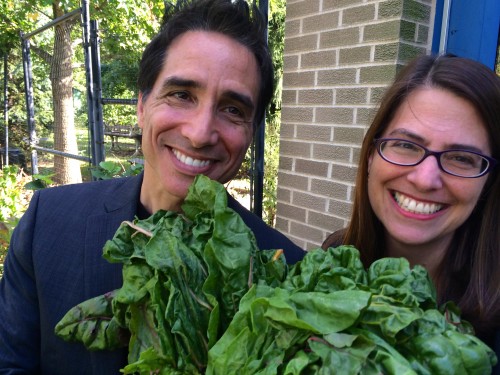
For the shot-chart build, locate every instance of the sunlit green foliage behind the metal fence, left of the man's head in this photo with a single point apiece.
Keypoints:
(125, 28)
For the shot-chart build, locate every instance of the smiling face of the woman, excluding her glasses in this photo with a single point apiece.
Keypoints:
(422, 205)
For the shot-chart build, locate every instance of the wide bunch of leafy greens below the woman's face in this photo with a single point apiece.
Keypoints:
(330, 314)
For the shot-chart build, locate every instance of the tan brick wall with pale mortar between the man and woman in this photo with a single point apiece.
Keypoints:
(339, 57)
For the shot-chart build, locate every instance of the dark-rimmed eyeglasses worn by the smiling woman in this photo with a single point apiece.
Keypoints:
(461, 163)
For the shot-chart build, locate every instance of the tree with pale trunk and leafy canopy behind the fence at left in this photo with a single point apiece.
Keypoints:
(117, 18)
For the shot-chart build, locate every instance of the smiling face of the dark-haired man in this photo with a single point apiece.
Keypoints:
(198, 118)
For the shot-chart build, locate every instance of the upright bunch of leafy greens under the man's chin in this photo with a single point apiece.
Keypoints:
(183, 278)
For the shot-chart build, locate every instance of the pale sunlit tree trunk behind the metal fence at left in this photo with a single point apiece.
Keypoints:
(61, 75)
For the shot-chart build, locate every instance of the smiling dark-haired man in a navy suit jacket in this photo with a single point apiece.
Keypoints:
(205, 81)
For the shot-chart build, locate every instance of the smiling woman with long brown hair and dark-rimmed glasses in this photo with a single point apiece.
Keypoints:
(428, 184)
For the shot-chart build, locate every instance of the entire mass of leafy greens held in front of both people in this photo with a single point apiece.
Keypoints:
(198, 296)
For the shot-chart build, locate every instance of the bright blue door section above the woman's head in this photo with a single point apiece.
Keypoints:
(472, 29)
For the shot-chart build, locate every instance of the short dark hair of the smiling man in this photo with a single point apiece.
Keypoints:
(237, 20)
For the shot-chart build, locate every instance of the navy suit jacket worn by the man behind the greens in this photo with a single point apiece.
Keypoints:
(55, 262)
